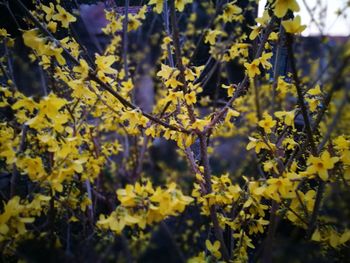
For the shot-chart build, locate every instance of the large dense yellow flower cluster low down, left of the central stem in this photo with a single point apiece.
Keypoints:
(142, 205)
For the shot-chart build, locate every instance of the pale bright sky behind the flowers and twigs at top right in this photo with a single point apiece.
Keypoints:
(333, 25)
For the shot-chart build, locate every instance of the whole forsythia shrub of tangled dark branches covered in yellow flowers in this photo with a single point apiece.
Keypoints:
(277, 188)
